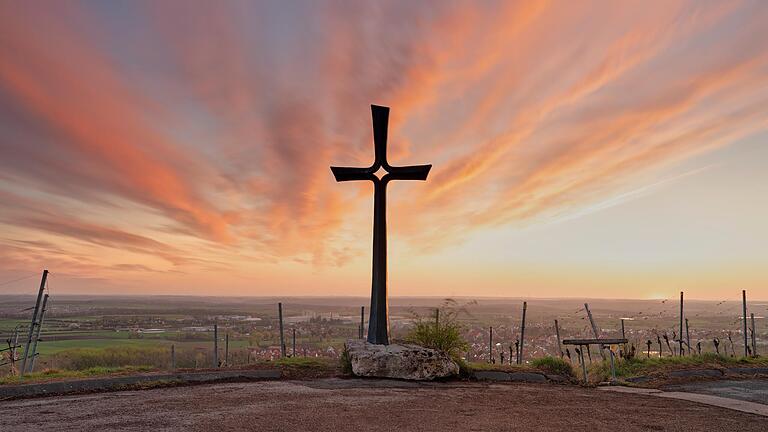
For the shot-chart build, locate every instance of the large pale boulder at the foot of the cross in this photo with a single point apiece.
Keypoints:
(401, 361)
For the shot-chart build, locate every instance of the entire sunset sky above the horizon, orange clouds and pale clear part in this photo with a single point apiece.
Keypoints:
(594, 149)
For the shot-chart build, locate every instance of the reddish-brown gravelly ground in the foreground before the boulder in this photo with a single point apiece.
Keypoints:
(359, 405)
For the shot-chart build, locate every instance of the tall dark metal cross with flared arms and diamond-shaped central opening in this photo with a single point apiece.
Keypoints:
(378, 323)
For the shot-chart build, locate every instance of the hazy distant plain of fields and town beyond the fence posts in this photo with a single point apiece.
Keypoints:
(81, 332)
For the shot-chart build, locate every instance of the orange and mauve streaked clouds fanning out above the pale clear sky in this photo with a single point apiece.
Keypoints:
(202, 141)
